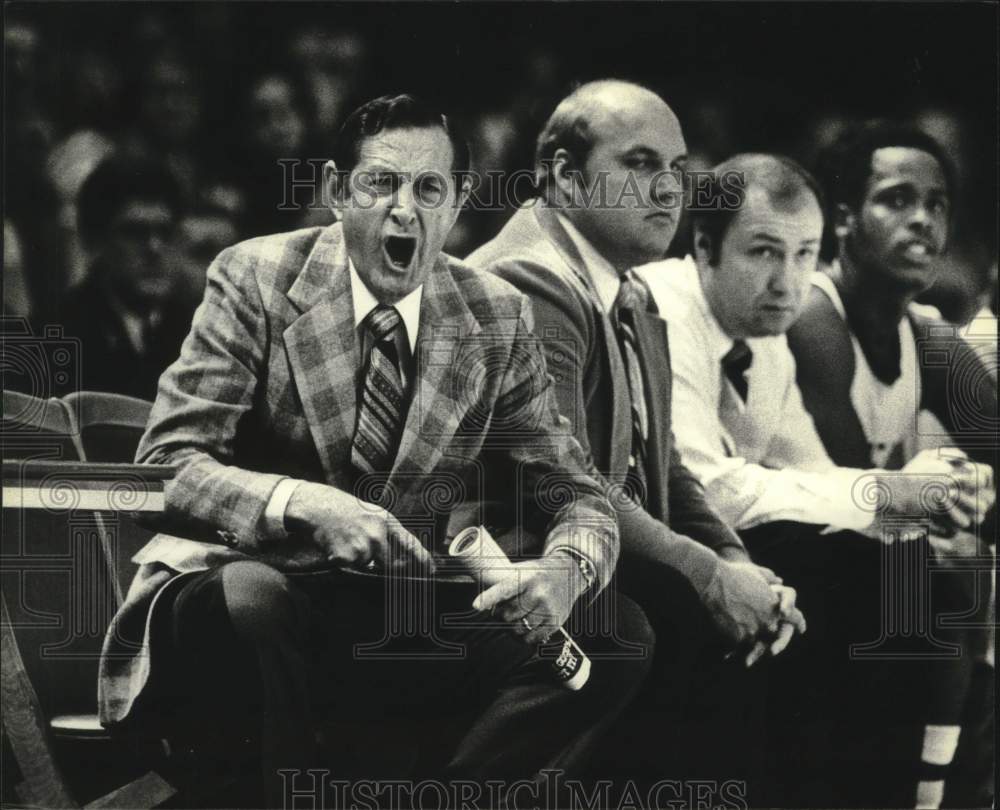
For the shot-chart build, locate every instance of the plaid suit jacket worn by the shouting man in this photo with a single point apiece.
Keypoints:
(266, 388)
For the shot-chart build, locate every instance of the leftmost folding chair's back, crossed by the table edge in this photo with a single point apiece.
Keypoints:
(54, 573)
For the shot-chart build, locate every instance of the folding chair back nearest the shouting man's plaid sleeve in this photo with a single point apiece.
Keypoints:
(110, 426)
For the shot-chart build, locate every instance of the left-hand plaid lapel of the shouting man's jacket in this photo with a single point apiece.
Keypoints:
(322, 352)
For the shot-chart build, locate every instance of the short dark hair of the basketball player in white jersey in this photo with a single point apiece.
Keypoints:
(844, 167)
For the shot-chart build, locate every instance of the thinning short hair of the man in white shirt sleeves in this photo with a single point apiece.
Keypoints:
(783, 179)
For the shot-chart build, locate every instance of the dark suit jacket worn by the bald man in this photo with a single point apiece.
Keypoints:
(535, 254)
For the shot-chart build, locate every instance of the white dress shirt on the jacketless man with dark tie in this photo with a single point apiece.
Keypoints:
(760, 461)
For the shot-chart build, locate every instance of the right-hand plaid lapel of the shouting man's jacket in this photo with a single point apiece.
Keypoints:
(435, 413)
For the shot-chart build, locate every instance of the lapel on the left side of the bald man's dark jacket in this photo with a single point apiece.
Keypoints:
(621, 418)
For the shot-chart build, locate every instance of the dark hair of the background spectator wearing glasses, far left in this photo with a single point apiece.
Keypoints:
(118, 180)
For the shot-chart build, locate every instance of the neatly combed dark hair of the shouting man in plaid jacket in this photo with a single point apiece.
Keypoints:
(394, 112)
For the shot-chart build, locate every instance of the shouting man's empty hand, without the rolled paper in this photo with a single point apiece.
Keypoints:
(354, 533)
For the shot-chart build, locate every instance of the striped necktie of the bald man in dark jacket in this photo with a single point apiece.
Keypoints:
(633, 297)
